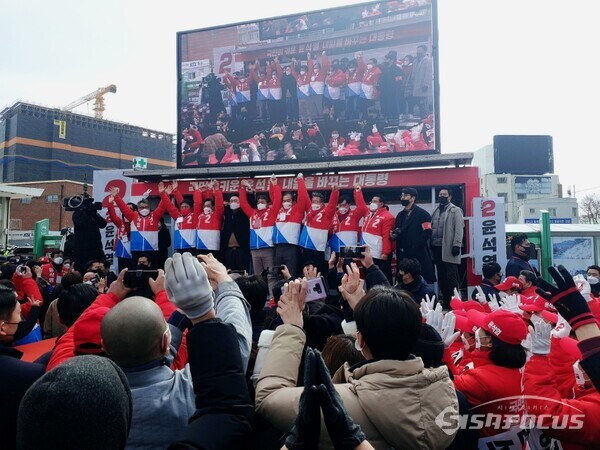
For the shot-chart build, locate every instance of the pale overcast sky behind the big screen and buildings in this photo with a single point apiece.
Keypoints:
(506, 67)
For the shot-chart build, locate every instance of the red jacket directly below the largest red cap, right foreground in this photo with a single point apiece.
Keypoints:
(488, 383)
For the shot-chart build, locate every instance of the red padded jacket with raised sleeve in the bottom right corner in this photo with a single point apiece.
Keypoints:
(538, 382)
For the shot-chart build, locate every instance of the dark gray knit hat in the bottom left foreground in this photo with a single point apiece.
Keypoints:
(85, 403)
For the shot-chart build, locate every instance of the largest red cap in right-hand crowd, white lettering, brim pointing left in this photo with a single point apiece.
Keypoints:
(504, 325)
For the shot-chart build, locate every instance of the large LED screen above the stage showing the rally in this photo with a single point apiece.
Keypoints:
(338, 84)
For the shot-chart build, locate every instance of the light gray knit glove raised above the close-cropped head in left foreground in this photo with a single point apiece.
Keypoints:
(187, 285)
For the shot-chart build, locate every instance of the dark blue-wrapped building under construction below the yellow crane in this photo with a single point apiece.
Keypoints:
(48, 144)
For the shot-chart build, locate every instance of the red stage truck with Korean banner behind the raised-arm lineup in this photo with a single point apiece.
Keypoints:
(463, 180)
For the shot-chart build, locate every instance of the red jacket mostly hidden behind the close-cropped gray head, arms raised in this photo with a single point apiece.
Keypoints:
(65, 345)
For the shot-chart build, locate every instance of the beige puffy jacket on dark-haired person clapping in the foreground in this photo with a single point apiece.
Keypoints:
(394, 402)
